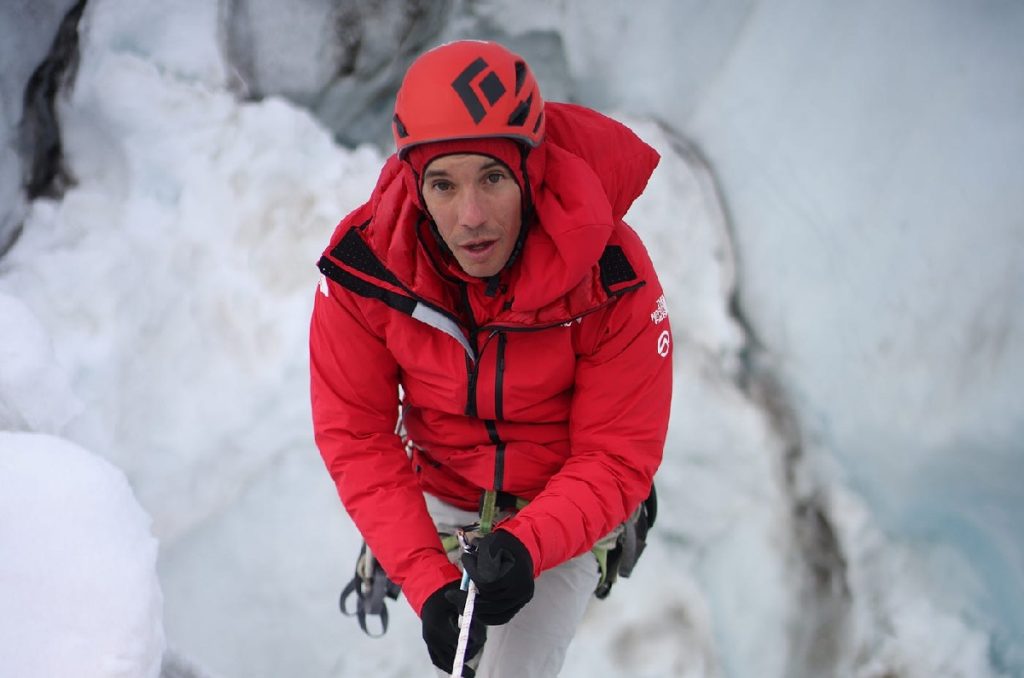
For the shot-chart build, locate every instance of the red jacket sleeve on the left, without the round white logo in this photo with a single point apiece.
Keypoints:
(355, 395)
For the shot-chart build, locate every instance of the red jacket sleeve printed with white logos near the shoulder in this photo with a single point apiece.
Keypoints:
(619, 423)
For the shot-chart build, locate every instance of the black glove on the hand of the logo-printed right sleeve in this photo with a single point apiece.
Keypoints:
(503, 570)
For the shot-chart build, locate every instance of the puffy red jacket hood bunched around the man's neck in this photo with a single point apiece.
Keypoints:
(584, 178)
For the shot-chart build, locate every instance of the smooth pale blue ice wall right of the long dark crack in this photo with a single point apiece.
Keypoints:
(869, 161)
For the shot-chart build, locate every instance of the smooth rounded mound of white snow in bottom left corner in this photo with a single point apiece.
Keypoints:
(78, 577)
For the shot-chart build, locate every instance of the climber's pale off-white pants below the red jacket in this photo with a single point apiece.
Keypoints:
(535, 643)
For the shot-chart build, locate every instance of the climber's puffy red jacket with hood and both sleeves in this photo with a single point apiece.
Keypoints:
(557, 390)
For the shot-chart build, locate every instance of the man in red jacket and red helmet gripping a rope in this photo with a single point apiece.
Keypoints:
(491, 282)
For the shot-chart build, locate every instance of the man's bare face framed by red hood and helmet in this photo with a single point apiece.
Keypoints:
(477, 204)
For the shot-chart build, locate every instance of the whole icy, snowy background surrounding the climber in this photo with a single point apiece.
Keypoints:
(842, 492)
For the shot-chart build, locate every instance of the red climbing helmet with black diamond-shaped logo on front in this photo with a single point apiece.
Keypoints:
(468, 90)
